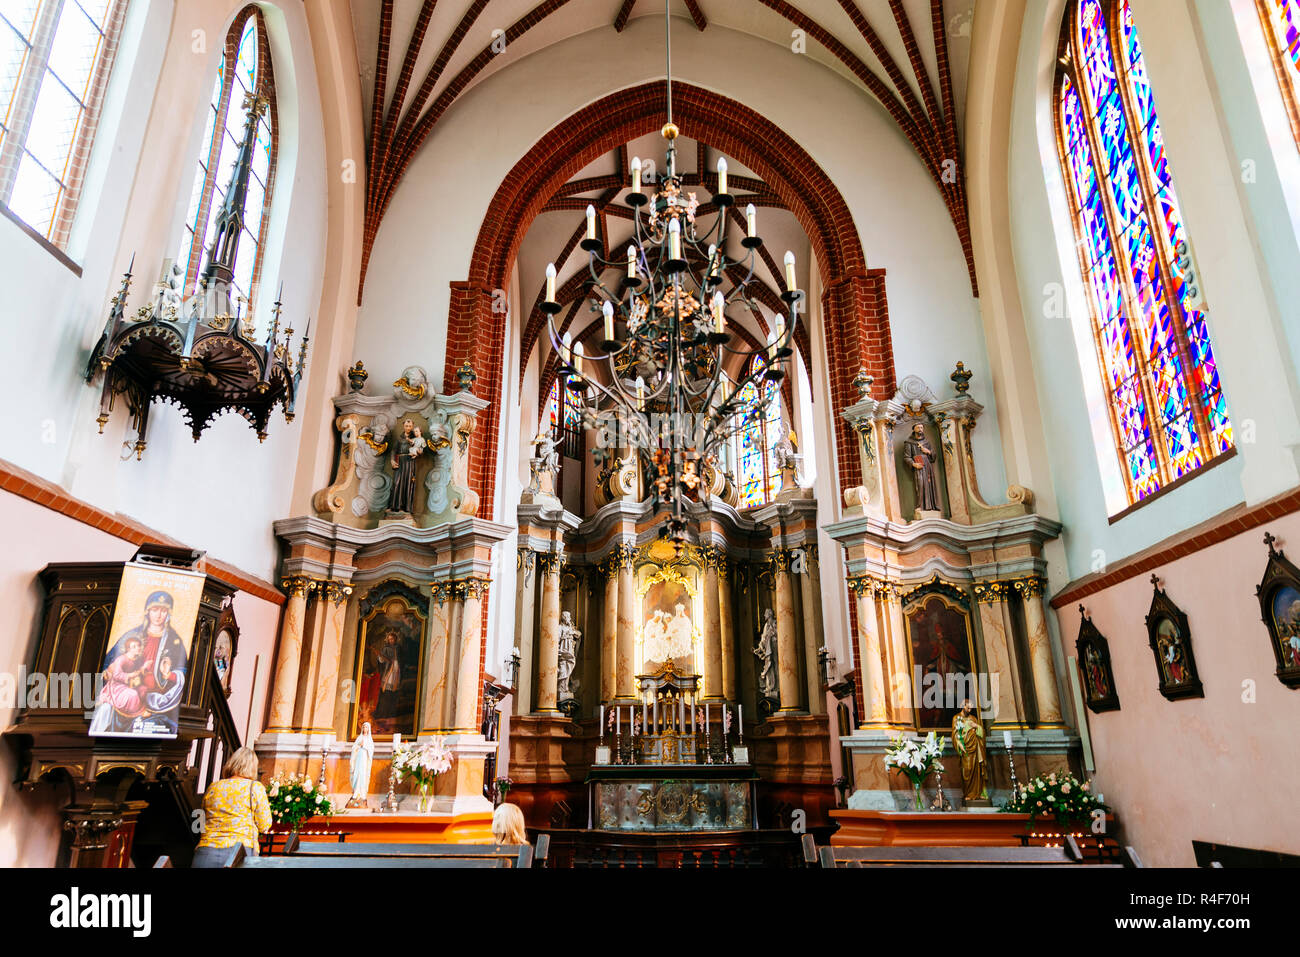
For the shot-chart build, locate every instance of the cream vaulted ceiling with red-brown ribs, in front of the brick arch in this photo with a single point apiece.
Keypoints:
(909, 58)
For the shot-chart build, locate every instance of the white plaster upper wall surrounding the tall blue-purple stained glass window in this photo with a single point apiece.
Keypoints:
(1254, 360)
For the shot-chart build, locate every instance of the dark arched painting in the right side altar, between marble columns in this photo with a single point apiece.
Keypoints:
(942, 649)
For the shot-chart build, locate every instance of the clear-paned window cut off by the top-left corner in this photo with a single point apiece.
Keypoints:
(55, 60)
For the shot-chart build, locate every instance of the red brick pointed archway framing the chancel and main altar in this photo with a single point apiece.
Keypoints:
(853, 302)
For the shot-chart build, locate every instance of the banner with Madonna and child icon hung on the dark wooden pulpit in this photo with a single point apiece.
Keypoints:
(148, 661)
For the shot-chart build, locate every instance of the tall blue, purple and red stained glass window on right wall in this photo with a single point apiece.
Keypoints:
(1168, 413)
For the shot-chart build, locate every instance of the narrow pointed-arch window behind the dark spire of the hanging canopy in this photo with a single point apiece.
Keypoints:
(245, 71)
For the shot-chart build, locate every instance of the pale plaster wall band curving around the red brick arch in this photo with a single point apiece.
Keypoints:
(428, 236)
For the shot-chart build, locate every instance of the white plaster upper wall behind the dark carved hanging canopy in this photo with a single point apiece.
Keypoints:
(142, 170)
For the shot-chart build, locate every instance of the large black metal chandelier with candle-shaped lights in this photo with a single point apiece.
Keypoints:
(666, 337)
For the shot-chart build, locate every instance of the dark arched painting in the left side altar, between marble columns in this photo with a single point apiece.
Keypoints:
(389, 660)
